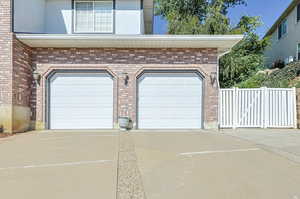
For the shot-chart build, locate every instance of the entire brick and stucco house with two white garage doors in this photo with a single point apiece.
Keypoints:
(82, 64)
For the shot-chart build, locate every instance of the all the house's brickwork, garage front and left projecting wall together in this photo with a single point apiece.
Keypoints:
(21, 100)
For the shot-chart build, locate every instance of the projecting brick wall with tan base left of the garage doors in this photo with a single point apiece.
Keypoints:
(15, 75)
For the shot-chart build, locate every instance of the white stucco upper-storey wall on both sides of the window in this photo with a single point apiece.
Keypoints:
(55, 16)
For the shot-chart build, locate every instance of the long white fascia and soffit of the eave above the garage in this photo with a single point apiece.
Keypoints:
(222, 42)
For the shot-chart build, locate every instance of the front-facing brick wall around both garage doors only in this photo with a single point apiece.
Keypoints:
(132, 62)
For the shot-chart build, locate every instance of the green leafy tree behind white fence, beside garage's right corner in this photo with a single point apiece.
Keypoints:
(246, 58)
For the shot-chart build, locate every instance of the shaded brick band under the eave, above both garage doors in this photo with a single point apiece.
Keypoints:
(124, 56)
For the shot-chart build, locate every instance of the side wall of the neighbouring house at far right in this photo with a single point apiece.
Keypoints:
(287, 45)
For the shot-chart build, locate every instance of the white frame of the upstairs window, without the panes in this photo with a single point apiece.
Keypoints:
(94, 32)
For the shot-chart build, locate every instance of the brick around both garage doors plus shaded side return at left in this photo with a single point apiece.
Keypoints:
(115, 61)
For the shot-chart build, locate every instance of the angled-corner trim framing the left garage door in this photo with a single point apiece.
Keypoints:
(70, 71)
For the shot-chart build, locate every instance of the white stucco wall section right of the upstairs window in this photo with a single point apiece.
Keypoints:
(128, 17)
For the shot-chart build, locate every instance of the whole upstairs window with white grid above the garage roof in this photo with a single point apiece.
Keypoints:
(93, 16)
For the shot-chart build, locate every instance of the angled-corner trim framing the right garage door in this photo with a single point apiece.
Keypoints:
(179, 71)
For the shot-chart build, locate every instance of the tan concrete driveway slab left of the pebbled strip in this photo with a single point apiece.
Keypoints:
(59, 165)
